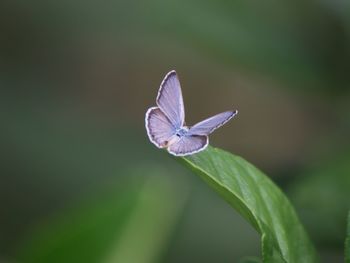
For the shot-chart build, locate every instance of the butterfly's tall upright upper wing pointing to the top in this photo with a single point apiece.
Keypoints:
(170, 100)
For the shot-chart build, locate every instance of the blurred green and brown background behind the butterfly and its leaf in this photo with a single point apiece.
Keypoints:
(79, 180)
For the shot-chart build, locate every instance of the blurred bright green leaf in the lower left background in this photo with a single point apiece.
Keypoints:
(118, 226)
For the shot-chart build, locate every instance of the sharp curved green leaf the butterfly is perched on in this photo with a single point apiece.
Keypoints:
(259, 201)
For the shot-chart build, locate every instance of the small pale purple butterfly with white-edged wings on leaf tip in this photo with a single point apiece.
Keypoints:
(165, 124)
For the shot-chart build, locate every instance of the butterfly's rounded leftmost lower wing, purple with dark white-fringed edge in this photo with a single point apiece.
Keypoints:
(159, 129)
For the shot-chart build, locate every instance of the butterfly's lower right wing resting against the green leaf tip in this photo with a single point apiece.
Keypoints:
(187, 145)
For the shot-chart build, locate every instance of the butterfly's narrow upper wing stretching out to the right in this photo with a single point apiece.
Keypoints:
(209, 125)
